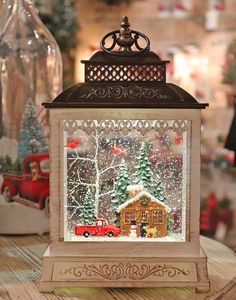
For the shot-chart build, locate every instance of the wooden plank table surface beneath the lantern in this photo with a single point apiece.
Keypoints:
(21, 264)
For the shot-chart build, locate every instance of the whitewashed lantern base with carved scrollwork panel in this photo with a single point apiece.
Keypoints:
(76, 271)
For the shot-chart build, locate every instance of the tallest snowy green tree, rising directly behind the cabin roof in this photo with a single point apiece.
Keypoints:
(144, 172)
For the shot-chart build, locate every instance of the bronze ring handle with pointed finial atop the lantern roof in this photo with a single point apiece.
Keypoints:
(125, 38)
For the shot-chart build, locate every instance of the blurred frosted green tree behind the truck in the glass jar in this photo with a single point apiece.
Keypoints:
(32, 139)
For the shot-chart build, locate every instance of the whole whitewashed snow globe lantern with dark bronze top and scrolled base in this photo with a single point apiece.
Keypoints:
(125, 175)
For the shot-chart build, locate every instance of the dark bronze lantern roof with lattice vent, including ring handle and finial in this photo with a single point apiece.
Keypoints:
(125, 74)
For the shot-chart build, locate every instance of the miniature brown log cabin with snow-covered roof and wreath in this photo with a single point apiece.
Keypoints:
(145, 211)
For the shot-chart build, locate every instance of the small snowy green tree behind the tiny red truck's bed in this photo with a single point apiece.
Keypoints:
(87, 214)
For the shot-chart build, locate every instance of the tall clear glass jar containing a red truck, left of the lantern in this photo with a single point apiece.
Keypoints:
(30, 73)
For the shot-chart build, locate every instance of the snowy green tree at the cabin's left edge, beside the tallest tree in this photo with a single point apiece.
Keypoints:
(121, 183)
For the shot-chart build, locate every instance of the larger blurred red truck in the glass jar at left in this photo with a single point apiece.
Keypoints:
(31, 187)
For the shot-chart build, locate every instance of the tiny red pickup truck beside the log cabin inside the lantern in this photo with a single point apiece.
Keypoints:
(101, 228)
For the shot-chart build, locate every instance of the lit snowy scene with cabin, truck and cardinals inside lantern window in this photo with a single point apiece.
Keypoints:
(125, 180)
